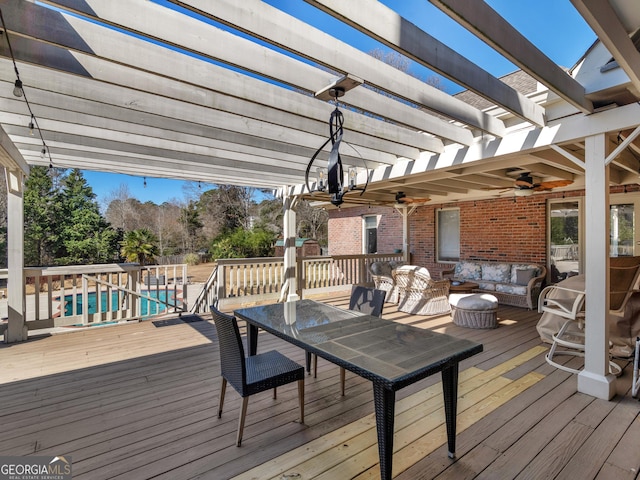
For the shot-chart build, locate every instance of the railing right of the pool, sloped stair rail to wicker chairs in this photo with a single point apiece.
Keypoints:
(263, 278)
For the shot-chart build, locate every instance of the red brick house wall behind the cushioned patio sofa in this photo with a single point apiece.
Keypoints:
(503, 229)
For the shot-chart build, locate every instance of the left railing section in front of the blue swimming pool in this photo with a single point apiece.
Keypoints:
(89, 294)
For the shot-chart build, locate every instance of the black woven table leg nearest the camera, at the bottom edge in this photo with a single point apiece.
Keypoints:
(385, 403)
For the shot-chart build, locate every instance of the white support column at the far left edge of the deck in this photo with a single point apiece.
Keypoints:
(17, 330)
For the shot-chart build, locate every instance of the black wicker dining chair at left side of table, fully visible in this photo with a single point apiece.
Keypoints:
(253, 374)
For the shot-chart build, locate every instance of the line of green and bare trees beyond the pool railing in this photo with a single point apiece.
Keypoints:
(64, 225)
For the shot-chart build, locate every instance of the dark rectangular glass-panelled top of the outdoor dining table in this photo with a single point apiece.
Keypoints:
(381, 350)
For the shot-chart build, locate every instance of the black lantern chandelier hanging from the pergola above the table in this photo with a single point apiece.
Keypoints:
(331, 179)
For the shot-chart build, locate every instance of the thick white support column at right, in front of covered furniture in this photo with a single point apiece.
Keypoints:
(595, 378)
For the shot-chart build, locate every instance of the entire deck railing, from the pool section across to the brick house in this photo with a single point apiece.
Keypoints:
(123, 292)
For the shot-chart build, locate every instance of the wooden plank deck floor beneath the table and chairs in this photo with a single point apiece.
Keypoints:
(139, 401)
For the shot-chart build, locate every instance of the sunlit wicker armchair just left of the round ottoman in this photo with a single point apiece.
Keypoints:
(418, 293)
